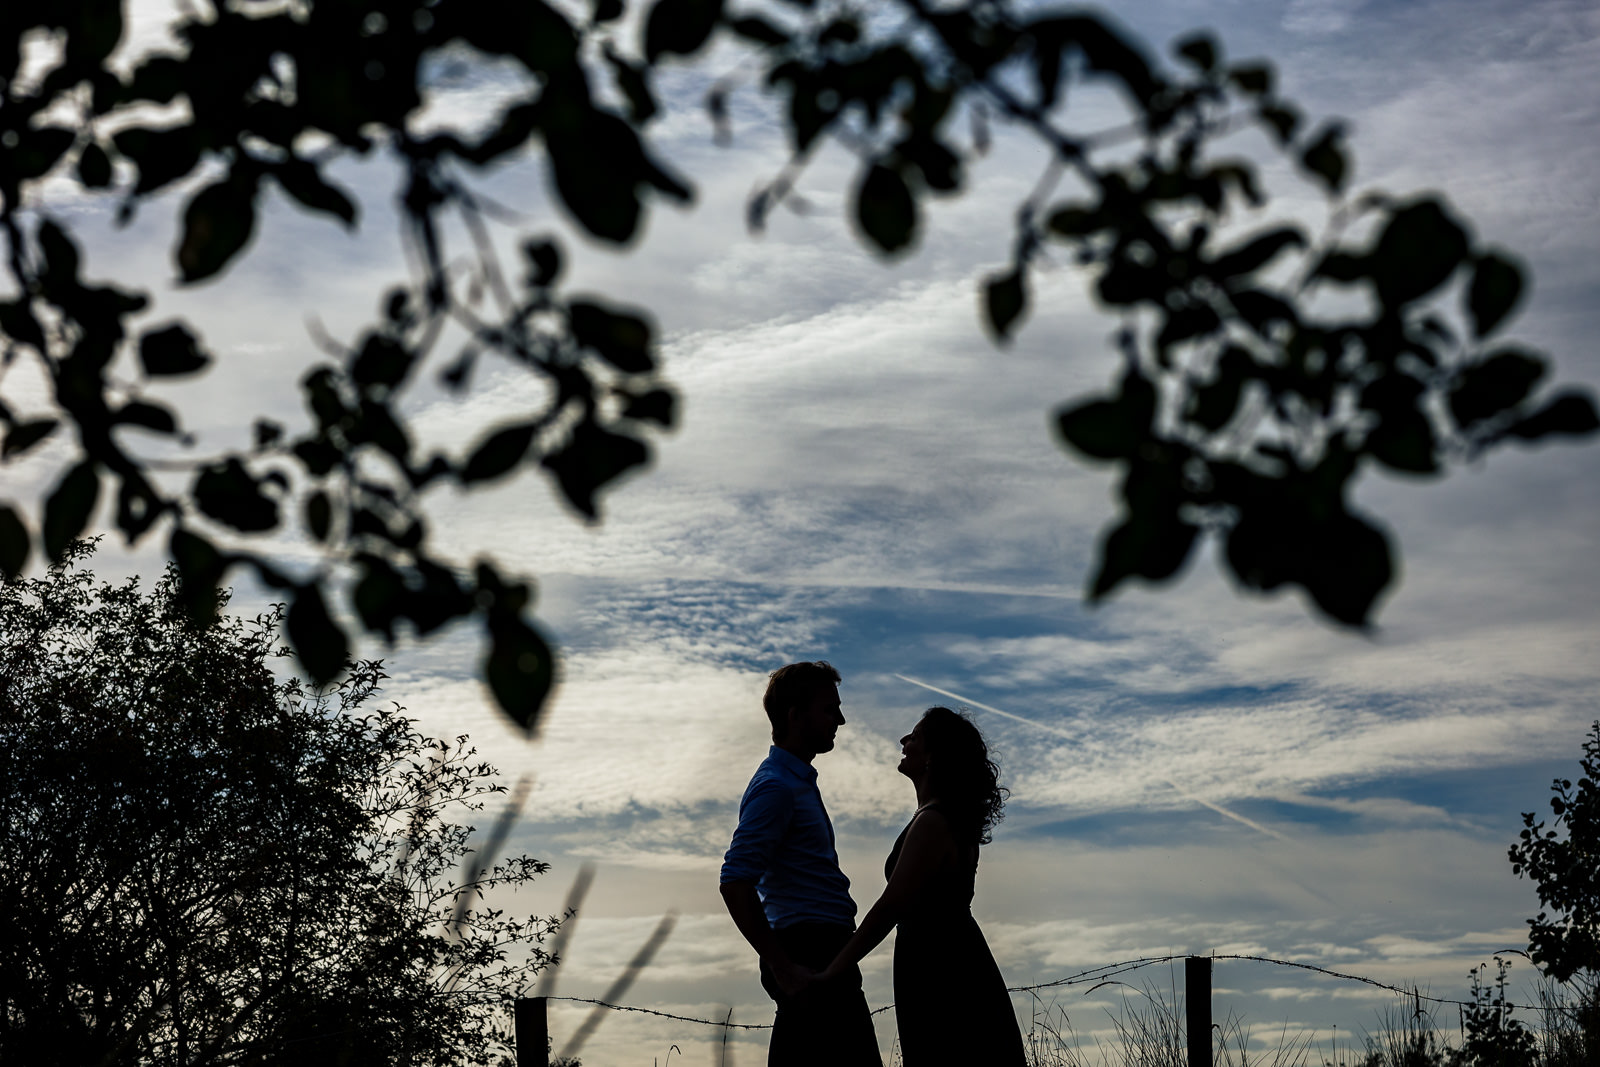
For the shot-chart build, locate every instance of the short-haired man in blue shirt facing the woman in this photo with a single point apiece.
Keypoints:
(783, 885)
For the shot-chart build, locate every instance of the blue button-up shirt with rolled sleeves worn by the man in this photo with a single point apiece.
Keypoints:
(785, 845)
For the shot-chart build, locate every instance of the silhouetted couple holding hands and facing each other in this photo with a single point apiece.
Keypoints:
(791, 901)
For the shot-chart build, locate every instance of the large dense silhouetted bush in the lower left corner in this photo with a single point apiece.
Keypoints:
(206, 865)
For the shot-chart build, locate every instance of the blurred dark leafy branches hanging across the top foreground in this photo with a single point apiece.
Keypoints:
(1246, 404)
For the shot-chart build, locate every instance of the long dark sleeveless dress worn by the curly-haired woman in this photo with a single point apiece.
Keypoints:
(950, 1001)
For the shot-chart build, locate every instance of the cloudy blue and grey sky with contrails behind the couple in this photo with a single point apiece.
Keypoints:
(860, 476)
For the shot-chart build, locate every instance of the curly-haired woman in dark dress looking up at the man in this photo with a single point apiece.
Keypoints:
(950, 999)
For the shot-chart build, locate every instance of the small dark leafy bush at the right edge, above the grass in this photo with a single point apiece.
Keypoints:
(1564, 940)
